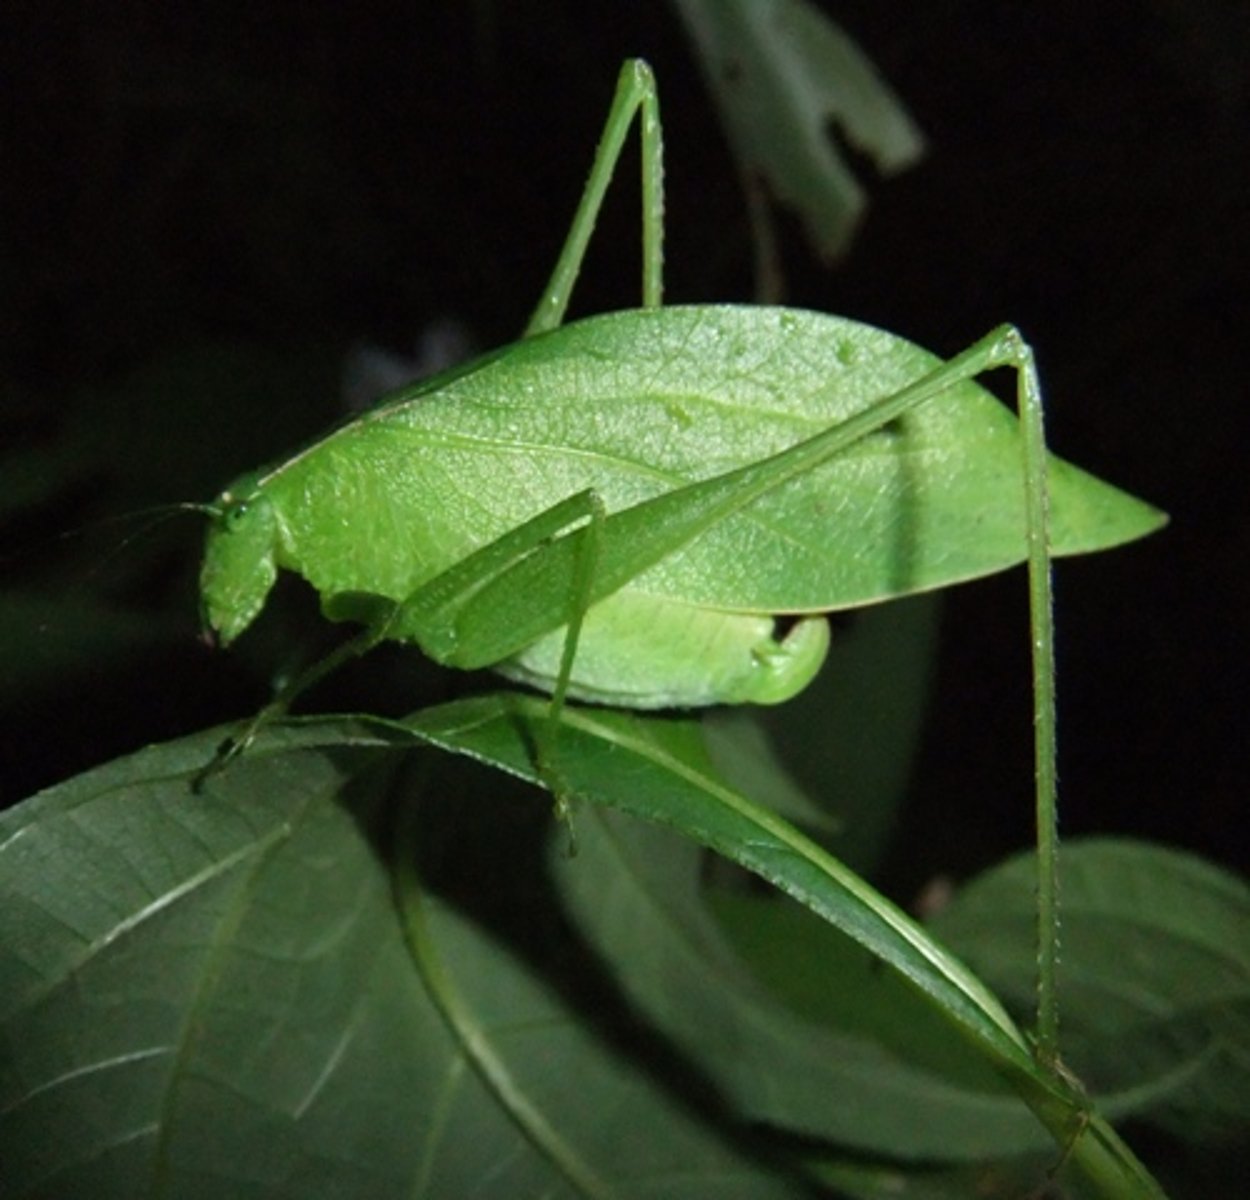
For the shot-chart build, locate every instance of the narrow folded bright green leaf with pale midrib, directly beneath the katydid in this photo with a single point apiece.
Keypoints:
(658, 771)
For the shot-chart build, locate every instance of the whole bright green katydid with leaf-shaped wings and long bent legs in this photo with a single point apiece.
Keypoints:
(656, 508)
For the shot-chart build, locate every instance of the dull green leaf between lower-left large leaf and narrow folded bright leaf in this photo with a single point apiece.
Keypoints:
(883, 1076)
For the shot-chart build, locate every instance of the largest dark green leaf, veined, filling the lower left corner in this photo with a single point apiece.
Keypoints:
(208, 994)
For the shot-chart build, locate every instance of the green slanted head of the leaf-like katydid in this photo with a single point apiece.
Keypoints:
(239, 567)
